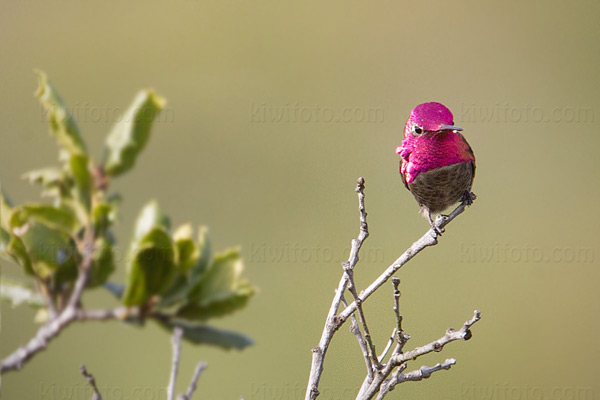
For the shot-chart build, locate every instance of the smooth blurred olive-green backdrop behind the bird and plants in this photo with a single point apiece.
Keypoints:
(520, 77)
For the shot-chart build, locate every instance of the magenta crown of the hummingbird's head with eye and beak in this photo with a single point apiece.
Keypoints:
(430, 117)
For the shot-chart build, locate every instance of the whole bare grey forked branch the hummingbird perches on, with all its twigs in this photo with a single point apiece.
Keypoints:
(381, 377)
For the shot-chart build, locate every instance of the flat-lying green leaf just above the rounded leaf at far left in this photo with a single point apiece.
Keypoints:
(59, 218)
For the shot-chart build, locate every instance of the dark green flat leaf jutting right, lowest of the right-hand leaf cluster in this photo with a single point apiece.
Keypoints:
(203, 334)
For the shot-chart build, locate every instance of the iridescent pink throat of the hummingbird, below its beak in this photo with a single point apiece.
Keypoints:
(431, 150)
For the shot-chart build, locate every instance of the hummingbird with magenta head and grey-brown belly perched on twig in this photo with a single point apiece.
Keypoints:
(437, 164)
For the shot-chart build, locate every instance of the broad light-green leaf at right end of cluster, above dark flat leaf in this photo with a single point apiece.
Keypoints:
(220, 290)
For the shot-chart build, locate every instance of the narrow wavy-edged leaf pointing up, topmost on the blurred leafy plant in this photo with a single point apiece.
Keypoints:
(61, 121)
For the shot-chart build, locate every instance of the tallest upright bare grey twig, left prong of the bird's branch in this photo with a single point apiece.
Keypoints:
(332, 323)
